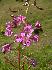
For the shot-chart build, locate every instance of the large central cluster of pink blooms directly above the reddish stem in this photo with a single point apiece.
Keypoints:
(25, 36)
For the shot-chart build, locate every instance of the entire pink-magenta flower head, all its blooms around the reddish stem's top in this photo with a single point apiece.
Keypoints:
(26, 37)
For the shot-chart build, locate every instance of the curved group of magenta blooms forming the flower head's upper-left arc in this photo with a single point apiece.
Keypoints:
(14, 23)
